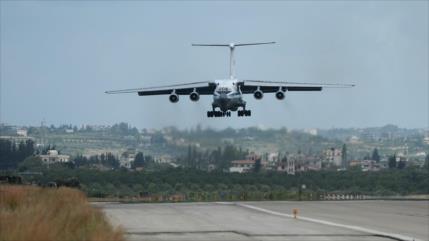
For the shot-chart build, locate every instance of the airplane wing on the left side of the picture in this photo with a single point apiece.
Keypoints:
(203, 88)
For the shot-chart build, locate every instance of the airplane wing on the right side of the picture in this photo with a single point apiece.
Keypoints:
(250, 86)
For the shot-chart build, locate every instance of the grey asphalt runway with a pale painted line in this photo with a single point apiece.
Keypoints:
(326, 220)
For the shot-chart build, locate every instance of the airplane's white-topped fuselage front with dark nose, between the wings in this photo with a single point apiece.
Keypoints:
(227, 95)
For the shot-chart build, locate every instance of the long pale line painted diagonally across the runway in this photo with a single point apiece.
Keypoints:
(320, 221)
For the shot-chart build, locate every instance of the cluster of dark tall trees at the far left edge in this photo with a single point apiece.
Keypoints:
(12, 153)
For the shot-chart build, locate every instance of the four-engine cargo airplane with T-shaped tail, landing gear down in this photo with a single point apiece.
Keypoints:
(228, 93)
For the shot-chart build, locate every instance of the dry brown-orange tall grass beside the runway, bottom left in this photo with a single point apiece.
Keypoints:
(32, 213)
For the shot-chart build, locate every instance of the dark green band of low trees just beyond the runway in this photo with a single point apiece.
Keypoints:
(194, 184)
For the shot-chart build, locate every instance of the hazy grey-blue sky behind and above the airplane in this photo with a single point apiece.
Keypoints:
(58, 58)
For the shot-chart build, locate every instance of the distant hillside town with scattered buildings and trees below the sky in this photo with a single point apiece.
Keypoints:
(122, 146)
